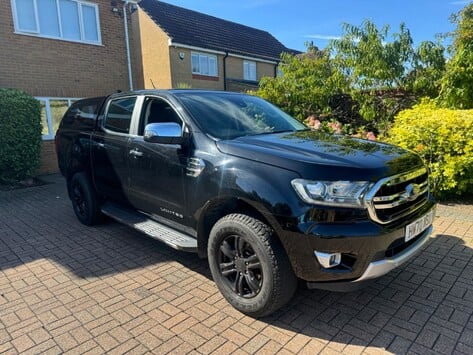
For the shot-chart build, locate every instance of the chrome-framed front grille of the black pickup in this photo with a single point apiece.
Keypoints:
(397, 196)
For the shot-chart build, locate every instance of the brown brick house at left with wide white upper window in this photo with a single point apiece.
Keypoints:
(59, 51)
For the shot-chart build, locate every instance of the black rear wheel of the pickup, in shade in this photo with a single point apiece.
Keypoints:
(84, 199)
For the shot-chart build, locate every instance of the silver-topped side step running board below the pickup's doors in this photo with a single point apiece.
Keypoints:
(144, 224)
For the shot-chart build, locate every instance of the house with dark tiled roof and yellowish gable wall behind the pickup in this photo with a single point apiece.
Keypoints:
(182, 48)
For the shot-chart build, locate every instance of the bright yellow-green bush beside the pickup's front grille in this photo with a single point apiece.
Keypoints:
(444, 139)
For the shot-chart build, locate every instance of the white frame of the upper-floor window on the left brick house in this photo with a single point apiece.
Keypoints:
(37, 32)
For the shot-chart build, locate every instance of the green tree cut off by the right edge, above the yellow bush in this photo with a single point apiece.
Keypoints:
(457, 84)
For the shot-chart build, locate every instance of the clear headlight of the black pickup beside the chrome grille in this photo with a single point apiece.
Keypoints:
(332, 193)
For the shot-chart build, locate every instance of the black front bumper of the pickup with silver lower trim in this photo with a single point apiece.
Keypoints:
(369, 250)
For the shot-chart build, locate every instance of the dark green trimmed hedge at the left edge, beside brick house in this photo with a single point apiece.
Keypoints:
(20, 135)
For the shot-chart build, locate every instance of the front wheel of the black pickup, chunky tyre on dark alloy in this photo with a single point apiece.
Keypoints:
(249, 265)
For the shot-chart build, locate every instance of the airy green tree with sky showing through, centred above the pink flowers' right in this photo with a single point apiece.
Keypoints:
(385, 72)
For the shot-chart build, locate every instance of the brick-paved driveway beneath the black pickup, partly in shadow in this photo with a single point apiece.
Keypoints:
(68, 288)
